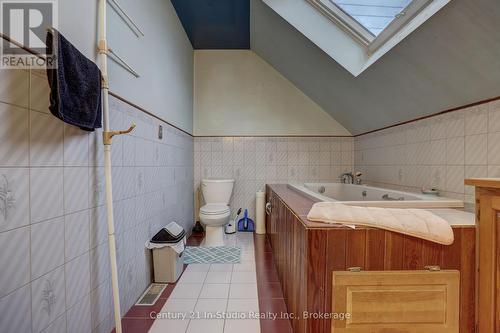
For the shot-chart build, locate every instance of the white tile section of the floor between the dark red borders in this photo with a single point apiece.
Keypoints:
(207, 297)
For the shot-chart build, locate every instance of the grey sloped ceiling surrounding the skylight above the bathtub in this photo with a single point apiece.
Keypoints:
(453, 59)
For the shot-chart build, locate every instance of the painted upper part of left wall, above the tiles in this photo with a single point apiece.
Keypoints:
(163, 57)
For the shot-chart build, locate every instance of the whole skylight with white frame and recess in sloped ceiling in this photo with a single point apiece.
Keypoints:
(356, 33)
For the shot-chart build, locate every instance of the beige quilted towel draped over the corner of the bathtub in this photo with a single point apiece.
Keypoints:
(414, 222)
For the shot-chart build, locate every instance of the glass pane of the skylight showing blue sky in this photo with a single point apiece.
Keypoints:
(373, 15)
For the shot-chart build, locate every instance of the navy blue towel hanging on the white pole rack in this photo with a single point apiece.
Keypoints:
(75, 85)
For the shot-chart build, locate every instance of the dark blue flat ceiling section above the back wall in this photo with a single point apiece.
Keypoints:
(215, 24)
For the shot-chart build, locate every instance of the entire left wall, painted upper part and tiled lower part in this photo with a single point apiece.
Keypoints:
(53, 237)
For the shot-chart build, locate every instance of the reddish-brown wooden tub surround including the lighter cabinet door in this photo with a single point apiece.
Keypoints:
(317, 262)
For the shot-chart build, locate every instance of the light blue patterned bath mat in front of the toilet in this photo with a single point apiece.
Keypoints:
(212, 255)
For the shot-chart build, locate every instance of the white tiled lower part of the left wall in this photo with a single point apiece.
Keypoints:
(53, 230)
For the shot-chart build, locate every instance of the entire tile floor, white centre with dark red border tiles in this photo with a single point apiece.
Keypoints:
(219, 298)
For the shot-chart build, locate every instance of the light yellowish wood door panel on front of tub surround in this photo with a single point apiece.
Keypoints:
(396, 301)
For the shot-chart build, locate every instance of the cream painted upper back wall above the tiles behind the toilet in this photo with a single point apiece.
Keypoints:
(238, 93)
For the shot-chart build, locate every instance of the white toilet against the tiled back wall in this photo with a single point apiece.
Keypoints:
(214, 215)
